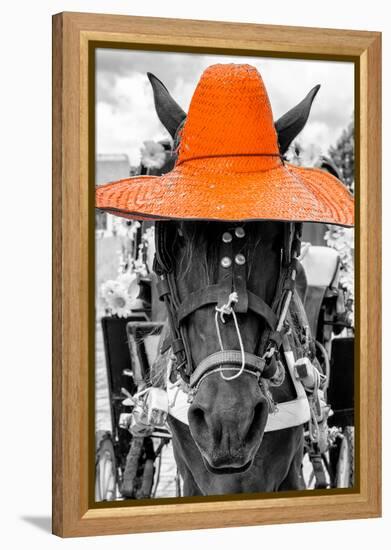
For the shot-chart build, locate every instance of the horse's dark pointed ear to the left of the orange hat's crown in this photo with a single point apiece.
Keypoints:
(169, 112)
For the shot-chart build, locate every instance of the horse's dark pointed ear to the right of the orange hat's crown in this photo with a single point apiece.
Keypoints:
(292, 123)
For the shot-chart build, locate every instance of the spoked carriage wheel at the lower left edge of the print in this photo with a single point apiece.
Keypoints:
(105, 468)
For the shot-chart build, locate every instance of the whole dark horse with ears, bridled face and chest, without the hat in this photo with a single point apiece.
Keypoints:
(225, 446)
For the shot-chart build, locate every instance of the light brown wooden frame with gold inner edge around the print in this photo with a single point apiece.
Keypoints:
(74, 36)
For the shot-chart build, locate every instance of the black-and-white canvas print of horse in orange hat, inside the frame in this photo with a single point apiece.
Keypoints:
(224, 278)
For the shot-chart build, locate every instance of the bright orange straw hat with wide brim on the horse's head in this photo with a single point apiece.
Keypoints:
(229, 165)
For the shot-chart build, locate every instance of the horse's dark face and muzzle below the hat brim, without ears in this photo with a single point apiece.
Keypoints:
(228, 413)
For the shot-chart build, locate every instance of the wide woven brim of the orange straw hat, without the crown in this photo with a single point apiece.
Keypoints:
(284, 193)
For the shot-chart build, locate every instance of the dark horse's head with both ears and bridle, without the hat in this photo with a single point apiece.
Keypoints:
(221, 330)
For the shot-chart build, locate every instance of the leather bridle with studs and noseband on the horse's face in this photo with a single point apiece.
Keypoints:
(231, 296)
